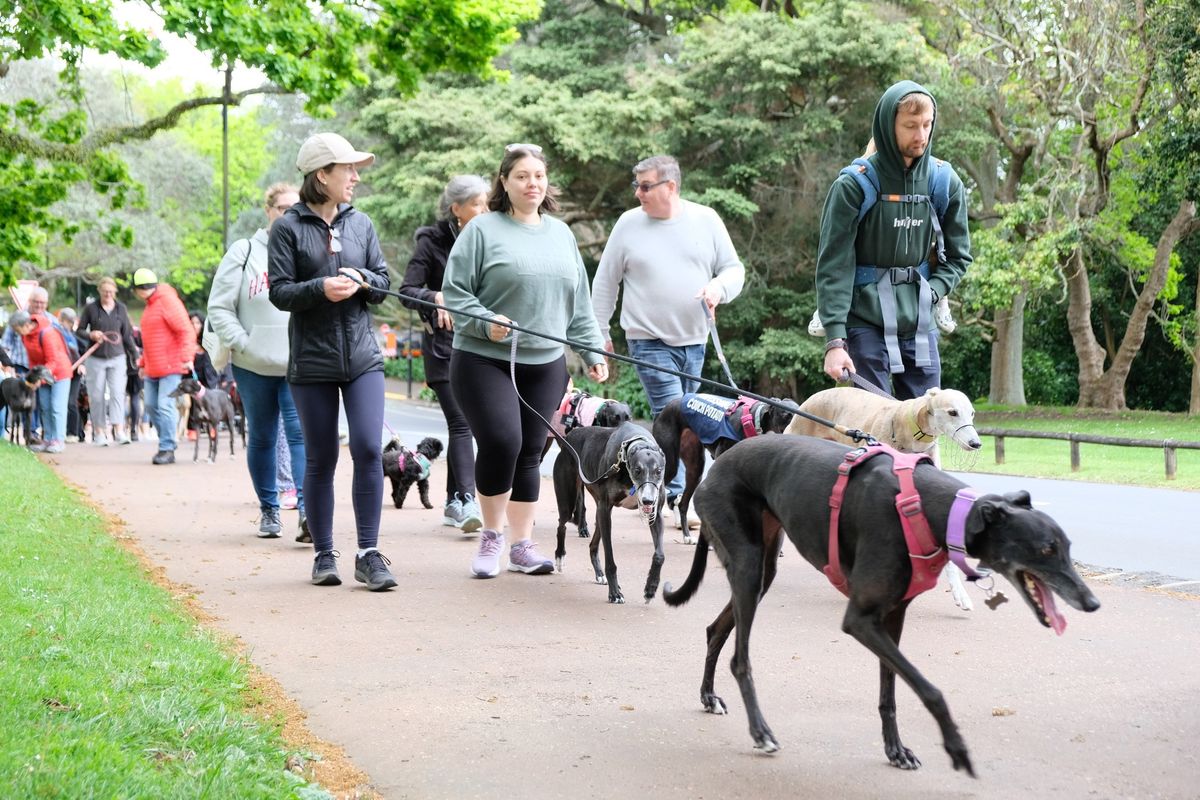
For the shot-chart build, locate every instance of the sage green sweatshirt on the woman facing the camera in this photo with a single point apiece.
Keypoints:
(531, 274)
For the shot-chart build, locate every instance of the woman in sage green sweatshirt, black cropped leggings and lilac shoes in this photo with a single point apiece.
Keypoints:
(519, 266)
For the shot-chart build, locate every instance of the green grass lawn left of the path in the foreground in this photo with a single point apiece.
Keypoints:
(110, 689)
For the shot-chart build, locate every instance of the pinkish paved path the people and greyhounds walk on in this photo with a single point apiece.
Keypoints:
(537, 688)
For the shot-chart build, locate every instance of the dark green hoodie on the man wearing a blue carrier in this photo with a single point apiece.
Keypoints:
(892, 234)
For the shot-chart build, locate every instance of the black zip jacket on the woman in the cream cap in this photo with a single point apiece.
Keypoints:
(331, 342)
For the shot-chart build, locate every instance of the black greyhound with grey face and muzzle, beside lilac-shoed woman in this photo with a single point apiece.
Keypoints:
(627, 462)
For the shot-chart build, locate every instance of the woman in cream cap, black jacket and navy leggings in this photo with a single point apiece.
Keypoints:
(323, 262)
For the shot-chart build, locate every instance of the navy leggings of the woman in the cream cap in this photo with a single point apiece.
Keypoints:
(317, 407)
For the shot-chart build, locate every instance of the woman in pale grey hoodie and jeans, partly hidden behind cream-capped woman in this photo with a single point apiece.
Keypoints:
(256, 333)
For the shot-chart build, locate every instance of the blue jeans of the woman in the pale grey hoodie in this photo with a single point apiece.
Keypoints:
(266, 400)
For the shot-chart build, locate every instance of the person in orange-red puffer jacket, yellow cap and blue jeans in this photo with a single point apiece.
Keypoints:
(169, 346)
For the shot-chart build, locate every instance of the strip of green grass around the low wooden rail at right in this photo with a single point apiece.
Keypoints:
(1099, 464)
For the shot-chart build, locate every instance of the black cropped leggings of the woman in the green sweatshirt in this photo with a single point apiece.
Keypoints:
(511, 438)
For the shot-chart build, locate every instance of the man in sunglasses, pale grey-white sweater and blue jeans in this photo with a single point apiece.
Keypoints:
(677, 263)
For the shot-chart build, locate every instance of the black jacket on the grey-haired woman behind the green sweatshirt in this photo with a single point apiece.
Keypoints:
(423, 280)
